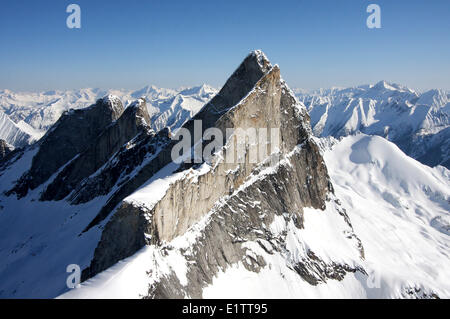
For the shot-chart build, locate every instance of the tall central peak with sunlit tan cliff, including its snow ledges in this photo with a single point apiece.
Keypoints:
(231, 205)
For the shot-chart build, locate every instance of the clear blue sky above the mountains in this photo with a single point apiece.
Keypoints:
(132, 43)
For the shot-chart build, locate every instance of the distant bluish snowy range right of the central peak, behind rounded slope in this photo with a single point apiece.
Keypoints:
(416, 122)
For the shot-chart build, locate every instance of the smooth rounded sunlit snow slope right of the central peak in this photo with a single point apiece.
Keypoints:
(400, 210)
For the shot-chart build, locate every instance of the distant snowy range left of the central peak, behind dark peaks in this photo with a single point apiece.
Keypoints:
(25, 117)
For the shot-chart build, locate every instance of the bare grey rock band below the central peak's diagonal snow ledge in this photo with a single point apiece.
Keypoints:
(238, 221)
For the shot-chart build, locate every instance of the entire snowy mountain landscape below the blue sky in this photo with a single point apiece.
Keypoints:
(354, 202)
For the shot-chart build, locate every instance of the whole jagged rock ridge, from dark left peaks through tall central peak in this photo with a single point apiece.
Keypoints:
(223, 212)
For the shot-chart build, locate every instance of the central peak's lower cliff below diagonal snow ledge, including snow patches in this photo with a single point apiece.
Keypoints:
(259, 222)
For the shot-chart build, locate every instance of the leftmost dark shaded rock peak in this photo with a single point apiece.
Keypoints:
(70, 135)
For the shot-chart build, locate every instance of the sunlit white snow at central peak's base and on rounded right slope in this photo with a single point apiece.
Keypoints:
(399, 208)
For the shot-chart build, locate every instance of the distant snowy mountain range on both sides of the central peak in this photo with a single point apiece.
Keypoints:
(419, 123)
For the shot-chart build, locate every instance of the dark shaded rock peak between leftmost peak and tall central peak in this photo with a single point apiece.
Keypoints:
(134, 120)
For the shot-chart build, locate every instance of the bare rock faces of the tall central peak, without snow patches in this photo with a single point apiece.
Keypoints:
(298, 180)
